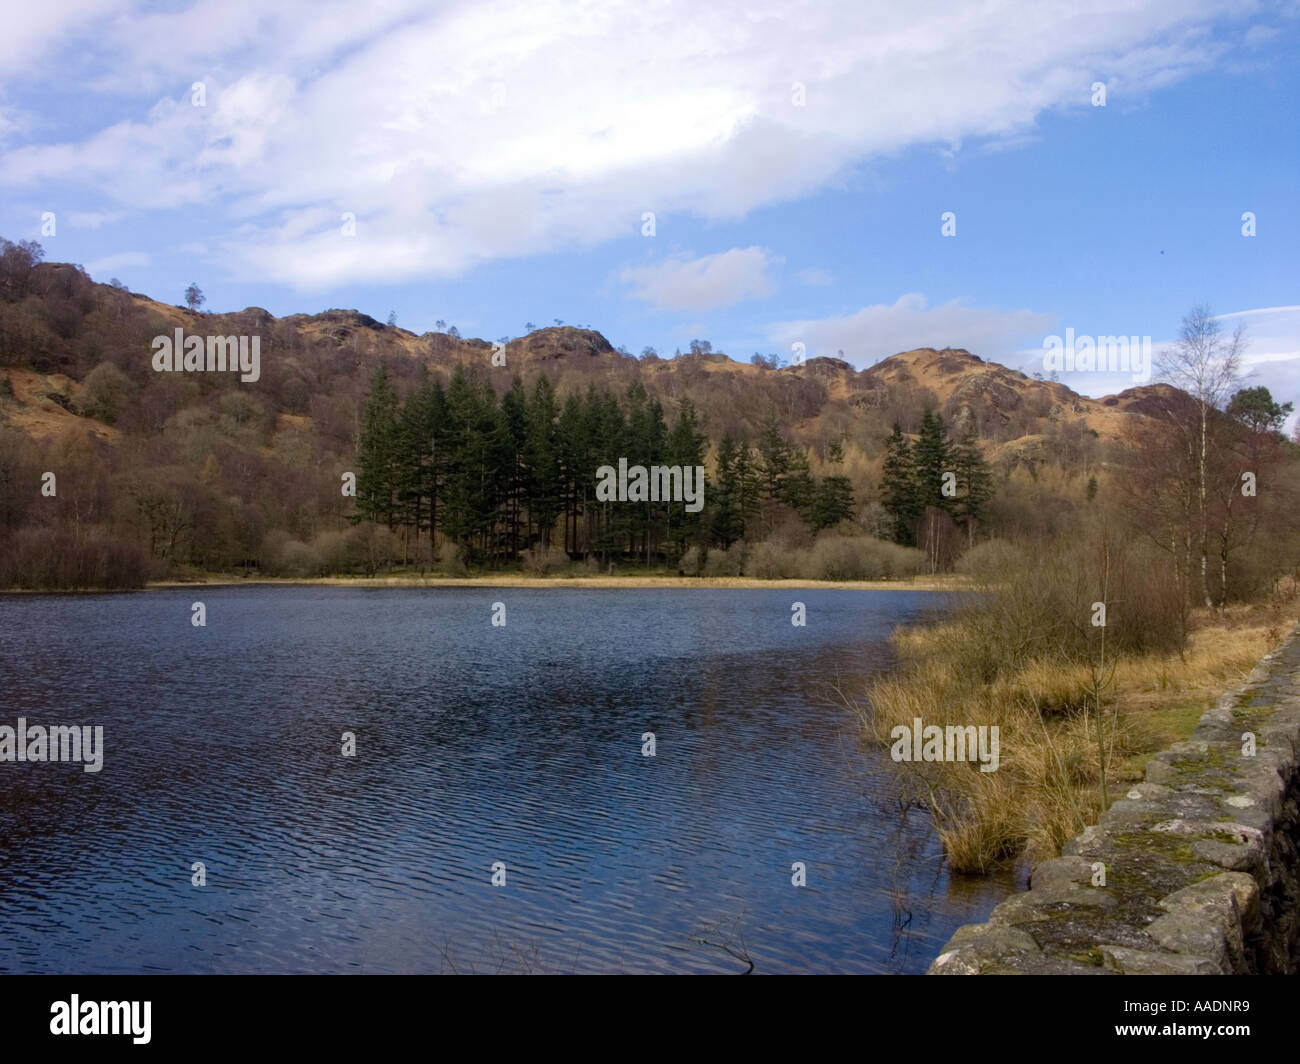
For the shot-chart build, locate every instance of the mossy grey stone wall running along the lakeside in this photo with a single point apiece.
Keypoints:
(1202, 870)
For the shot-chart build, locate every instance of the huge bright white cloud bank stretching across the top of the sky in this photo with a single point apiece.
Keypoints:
(491, 129)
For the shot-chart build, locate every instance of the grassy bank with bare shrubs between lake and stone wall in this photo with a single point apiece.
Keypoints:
(1076, 720)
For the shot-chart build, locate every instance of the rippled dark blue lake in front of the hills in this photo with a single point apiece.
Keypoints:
(476, 746)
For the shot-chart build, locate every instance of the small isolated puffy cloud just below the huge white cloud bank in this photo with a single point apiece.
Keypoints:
(709, 283)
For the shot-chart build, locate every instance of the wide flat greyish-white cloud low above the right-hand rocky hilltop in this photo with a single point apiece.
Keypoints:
(885, 330)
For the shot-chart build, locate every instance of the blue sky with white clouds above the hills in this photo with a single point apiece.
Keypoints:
(772, 178)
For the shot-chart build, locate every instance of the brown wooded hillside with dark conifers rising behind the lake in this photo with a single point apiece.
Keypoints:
(203, 470)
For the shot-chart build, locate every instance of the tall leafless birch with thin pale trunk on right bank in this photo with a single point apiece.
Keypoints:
(1208, 367)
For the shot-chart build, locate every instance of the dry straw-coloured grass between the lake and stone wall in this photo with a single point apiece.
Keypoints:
(1048, 786)
